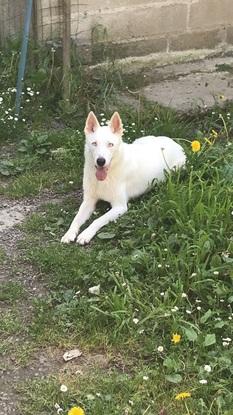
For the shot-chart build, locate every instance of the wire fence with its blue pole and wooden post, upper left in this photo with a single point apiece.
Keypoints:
(40, 20)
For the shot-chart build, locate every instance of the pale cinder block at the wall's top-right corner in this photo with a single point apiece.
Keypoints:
(210, 13)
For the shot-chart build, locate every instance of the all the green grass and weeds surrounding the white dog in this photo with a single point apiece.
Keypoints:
(165, 268)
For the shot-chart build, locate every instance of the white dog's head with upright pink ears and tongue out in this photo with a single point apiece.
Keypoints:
(103, 142)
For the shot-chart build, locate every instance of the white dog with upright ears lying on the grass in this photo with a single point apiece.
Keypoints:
(130, 170)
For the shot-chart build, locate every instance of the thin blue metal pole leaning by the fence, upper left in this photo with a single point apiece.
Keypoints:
(23, 55)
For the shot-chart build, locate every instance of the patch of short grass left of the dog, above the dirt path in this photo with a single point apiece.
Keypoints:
(55, 168)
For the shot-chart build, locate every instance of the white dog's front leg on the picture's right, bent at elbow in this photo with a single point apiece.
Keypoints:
(111, 215)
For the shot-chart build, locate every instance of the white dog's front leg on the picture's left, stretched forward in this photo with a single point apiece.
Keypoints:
(85, 211)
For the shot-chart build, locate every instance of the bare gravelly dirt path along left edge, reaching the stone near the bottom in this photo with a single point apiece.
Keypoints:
(42, 361)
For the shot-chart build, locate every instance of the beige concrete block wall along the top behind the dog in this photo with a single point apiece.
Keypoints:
(122, 28)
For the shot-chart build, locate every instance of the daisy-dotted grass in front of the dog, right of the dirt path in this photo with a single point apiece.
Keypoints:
(167, 268)
